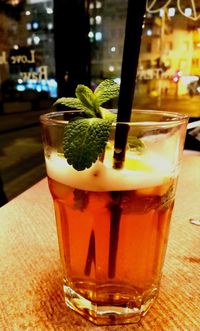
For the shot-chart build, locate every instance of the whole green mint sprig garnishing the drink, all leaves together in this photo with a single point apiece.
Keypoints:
(85, 138)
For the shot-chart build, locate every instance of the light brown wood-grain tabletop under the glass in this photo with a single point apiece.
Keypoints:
(31, 296)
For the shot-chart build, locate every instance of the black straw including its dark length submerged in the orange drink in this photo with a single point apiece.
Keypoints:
(132, 41)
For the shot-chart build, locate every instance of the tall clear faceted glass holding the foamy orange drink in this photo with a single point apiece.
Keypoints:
(113, 224)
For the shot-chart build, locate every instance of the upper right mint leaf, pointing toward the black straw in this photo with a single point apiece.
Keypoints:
(106, 90)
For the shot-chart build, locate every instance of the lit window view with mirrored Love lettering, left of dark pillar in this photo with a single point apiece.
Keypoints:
(27, 65)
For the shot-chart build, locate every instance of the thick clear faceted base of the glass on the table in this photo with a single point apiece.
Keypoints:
(118, 307)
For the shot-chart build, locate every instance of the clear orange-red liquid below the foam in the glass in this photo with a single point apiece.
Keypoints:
(112, 244)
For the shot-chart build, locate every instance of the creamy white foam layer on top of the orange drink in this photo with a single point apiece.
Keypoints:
(102, 177)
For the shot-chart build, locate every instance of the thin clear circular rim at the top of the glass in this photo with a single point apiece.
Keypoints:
(172, 118)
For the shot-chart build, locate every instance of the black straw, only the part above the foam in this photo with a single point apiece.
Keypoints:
(132, 41)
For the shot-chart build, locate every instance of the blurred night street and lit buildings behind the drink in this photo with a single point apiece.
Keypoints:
(48, 47)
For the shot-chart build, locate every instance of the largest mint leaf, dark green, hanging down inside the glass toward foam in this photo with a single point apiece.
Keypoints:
(84, 139)
